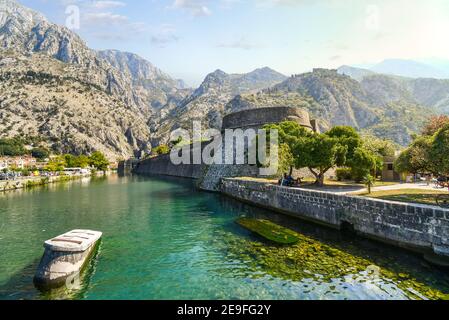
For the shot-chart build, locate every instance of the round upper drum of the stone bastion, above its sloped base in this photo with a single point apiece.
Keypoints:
(259, 117)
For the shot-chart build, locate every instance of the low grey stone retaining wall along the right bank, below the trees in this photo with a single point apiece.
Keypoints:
(414, 226)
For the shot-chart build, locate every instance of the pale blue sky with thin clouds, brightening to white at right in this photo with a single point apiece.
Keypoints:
(190, 38)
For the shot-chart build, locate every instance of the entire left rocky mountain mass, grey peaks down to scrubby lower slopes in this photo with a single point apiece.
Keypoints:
(102, 101)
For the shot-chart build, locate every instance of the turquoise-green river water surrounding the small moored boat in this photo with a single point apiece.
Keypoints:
(163, 239)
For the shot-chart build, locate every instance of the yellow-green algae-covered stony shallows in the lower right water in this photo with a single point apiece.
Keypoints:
(311, 259)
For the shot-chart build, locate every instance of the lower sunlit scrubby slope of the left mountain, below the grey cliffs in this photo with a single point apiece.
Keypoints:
(43, 97)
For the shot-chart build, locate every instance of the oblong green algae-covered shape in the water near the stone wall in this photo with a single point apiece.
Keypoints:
(269, 231)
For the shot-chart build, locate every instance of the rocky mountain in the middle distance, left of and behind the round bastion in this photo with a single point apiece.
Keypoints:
(207, 103)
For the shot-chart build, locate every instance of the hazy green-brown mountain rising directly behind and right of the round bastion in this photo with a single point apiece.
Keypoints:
(384, 110)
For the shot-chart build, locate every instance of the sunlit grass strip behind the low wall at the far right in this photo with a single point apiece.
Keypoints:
(407, 195)
